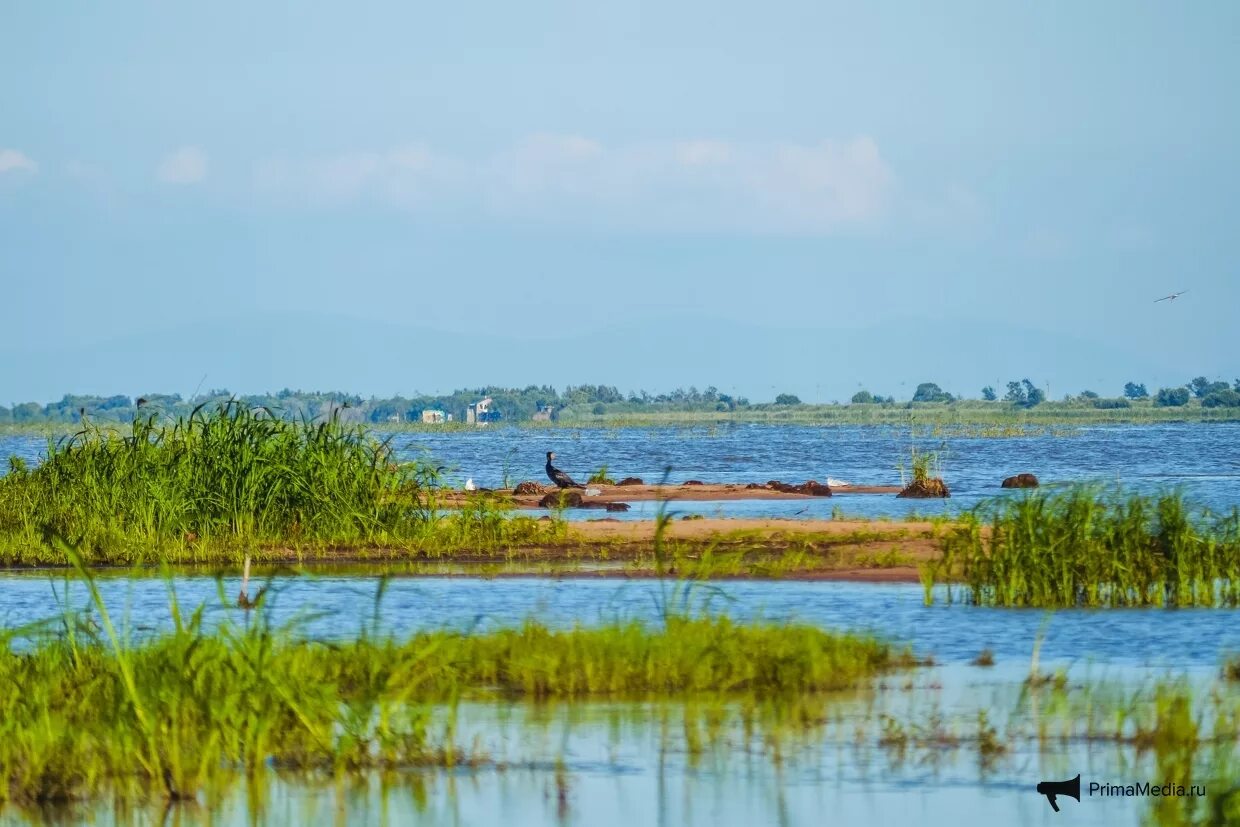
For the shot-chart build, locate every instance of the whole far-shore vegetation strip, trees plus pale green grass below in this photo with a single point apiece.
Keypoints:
(1022, 401)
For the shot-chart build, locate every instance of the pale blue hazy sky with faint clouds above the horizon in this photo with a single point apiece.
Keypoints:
(792, 197)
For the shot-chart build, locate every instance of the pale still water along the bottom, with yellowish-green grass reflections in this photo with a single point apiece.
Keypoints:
(829, 761)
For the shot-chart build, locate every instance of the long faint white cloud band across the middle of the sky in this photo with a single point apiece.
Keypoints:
(697, 185)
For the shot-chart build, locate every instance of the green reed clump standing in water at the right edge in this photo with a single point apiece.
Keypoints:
(1087, 547)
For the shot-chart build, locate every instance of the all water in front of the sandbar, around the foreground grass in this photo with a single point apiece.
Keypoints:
(632, 764)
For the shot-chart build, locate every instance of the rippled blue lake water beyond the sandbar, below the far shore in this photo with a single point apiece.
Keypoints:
(1202, 459)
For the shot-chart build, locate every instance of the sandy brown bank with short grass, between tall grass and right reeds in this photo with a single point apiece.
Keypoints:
(717, 549)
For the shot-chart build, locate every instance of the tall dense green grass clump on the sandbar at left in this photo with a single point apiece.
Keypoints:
(232, 478)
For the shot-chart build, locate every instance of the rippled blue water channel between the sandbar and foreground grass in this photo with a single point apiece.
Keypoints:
(342, 607)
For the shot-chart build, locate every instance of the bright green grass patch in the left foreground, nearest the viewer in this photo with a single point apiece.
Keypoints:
(90, 712)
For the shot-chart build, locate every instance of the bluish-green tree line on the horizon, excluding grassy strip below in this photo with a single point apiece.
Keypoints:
(520, 405)
